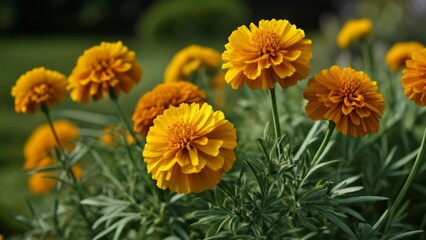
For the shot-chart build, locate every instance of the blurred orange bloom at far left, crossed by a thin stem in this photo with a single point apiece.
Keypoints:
(41, 142)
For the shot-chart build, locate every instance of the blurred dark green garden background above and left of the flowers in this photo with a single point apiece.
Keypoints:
(53, 33)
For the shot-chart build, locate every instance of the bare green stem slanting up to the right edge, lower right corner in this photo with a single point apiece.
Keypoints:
(411, 175)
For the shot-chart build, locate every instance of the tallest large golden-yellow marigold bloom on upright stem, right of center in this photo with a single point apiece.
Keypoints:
(276, 51)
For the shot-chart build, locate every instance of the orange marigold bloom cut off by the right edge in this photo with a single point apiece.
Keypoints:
(414, 78)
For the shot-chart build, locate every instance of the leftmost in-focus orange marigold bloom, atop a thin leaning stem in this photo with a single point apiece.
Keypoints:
(38, 86)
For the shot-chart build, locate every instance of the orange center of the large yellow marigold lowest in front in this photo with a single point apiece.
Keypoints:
(181, 135)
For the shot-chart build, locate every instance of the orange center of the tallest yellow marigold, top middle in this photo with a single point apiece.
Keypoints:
(267, 42)
